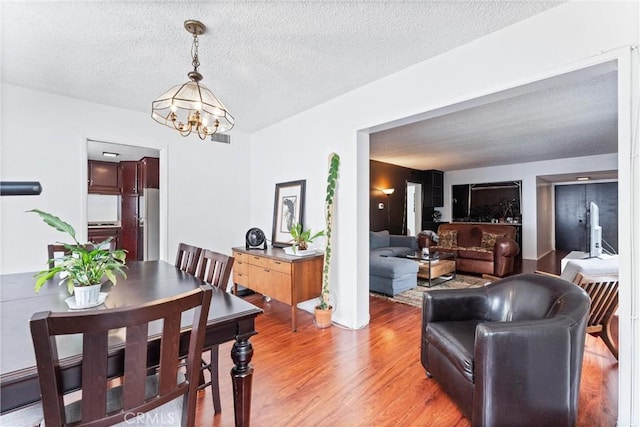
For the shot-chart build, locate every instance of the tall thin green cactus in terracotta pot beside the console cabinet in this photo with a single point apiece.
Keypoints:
(324, 310)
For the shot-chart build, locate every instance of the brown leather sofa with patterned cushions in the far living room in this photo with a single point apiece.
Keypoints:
(480, 248)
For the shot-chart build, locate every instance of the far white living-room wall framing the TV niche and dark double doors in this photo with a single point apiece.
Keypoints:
(527, 173)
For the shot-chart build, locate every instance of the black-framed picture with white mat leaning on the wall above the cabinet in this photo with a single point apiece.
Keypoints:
(288, 208)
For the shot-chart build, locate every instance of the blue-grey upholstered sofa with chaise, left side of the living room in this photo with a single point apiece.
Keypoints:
(388, 273)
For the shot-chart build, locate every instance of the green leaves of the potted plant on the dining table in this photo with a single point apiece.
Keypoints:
(84, 265)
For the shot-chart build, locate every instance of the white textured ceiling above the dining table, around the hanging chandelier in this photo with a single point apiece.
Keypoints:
(265, 60)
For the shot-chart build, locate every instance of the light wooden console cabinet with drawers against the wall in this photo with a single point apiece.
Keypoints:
(271, 272)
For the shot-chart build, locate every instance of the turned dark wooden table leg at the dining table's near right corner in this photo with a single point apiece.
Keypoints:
(241, 377)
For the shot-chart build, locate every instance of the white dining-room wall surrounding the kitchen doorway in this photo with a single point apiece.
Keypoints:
(201, 183)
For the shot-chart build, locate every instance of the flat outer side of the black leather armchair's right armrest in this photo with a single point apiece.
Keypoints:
(543, 376)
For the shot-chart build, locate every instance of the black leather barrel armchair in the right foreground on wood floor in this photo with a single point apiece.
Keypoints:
(509, 353)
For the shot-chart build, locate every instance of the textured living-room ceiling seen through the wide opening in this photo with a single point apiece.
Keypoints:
(571, 115)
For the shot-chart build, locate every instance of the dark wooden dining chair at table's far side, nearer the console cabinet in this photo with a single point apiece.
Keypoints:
(214, 268)
